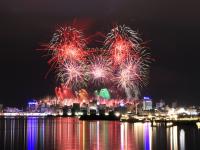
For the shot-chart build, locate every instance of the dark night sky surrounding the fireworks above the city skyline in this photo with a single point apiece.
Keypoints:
(172, 27)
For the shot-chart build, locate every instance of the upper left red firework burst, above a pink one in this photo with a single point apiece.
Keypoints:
(67, 44)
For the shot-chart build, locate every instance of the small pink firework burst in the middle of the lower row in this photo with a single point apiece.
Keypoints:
(100, 70)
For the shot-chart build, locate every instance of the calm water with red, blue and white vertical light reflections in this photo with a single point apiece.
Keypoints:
(72, 134)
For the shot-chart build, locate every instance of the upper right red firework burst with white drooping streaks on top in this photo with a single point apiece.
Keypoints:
(122, 43)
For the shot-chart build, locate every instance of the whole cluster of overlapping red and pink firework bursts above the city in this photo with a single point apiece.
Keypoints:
(123, 62)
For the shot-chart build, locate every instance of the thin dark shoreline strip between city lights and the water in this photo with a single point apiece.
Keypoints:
(154, 123)
